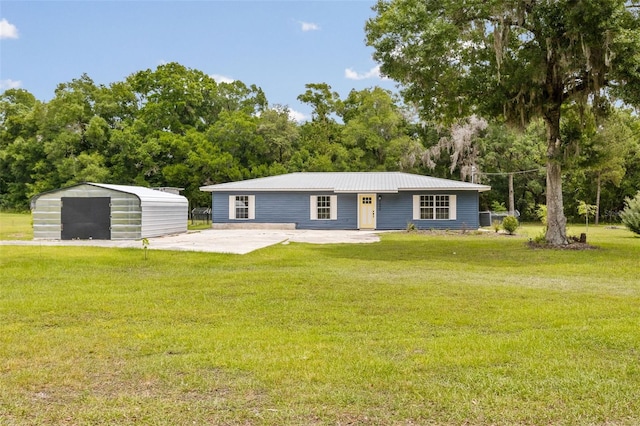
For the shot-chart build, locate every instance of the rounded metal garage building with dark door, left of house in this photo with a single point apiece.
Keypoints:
(107, 212)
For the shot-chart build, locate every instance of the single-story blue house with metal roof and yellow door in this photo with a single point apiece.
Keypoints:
(347, 200)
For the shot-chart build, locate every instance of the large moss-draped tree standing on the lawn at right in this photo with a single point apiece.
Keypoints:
(518, 59)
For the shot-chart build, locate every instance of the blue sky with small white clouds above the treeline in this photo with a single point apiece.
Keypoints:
(277, 45)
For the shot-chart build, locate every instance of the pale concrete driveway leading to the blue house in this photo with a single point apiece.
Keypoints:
(236, 241)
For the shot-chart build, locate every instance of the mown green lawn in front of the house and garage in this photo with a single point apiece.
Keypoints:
(418, 329)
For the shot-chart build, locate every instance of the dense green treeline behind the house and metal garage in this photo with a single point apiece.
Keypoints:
(175, 126)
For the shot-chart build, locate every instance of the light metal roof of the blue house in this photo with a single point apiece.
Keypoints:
(378, 182)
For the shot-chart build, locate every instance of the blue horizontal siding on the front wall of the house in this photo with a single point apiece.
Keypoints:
(393, 211)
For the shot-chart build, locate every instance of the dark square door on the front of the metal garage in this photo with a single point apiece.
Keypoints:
(86, 218)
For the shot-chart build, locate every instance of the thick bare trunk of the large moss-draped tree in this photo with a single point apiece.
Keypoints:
(556, 221)
